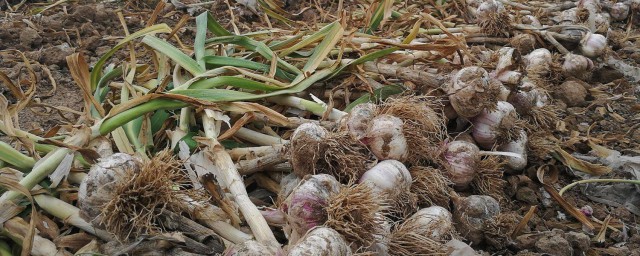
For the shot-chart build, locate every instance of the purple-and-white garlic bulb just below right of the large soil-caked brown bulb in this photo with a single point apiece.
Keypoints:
(493, 125)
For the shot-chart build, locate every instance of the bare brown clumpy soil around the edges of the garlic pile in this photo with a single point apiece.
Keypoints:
(608, 113)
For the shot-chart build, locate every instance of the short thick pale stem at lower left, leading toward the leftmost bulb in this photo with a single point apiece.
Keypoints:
(69, 214)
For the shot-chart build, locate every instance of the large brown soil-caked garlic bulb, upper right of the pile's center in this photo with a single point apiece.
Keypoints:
(472, 90)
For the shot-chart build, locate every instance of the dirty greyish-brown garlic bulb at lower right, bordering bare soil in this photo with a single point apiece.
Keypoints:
(472, 214)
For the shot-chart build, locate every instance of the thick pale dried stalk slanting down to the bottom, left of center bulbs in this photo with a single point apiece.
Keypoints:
(232, 181)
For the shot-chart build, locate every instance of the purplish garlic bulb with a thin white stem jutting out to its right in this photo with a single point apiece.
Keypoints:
(462, 158)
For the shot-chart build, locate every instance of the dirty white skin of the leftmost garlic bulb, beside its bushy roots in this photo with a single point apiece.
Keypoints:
(99, 186)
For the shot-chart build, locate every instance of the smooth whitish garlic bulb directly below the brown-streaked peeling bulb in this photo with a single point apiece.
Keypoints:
(387, 178)
